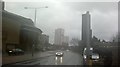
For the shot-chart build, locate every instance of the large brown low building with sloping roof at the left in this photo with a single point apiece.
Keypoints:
(18, 32)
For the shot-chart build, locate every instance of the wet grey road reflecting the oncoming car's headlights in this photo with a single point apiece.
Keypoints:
(69, 58)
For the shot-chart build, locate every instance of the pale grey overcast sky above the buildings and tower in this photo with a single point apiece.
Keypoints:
(68, 15)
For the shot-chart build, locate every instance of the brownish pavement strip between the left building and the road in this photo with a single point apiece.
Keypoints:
(25, 57)
